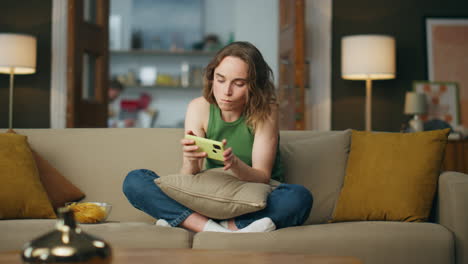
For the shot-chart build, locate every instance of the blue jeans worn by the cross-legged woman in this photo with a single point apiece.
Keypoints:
(287, 205)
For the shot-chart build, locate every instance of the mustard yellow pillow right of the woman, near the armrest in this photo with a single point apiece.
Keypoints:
(391, 176)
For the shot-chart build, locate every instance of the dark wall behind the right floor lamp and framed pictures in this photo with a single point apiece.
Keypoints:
(405, 21)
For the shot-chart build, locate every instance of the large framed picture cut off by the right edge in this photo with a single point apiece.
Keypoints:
(447, 50)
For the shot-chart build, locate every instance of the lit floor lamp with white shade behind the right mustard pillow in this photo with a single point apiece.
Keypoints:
(368, 57)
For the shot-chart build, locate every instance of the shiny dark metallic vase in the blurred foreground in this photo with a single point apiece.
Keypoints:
(67, 244)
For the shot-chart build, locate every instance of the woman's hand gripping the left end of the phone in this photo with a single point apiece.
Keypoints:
(193, 159)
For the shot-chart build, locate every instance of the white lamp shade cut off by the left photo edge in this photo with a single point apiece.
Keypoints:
(17, 52)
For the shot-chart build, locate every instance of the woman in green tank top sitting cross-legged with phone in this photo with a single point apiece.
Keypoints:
(238, 107)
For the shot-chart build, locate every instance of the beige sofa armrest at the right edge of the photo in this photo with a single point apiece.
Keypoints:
(452, 210)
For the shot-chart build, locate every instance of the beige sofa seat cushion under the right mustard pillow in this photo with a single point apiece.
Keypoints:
(372, 242)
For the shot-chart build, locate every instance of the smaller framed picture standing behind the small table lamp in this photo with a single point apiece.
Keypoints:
(442, 101)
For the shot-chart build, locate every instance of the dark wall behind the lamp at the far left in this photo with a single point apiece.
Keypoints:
(31, 92)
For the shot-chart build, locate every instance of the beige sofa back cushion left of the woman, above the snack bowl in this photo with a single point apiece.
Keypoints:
(97, 160)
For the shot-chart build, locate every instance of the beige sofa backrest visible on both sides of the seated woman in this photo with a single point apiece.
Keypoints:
(98, 159)
